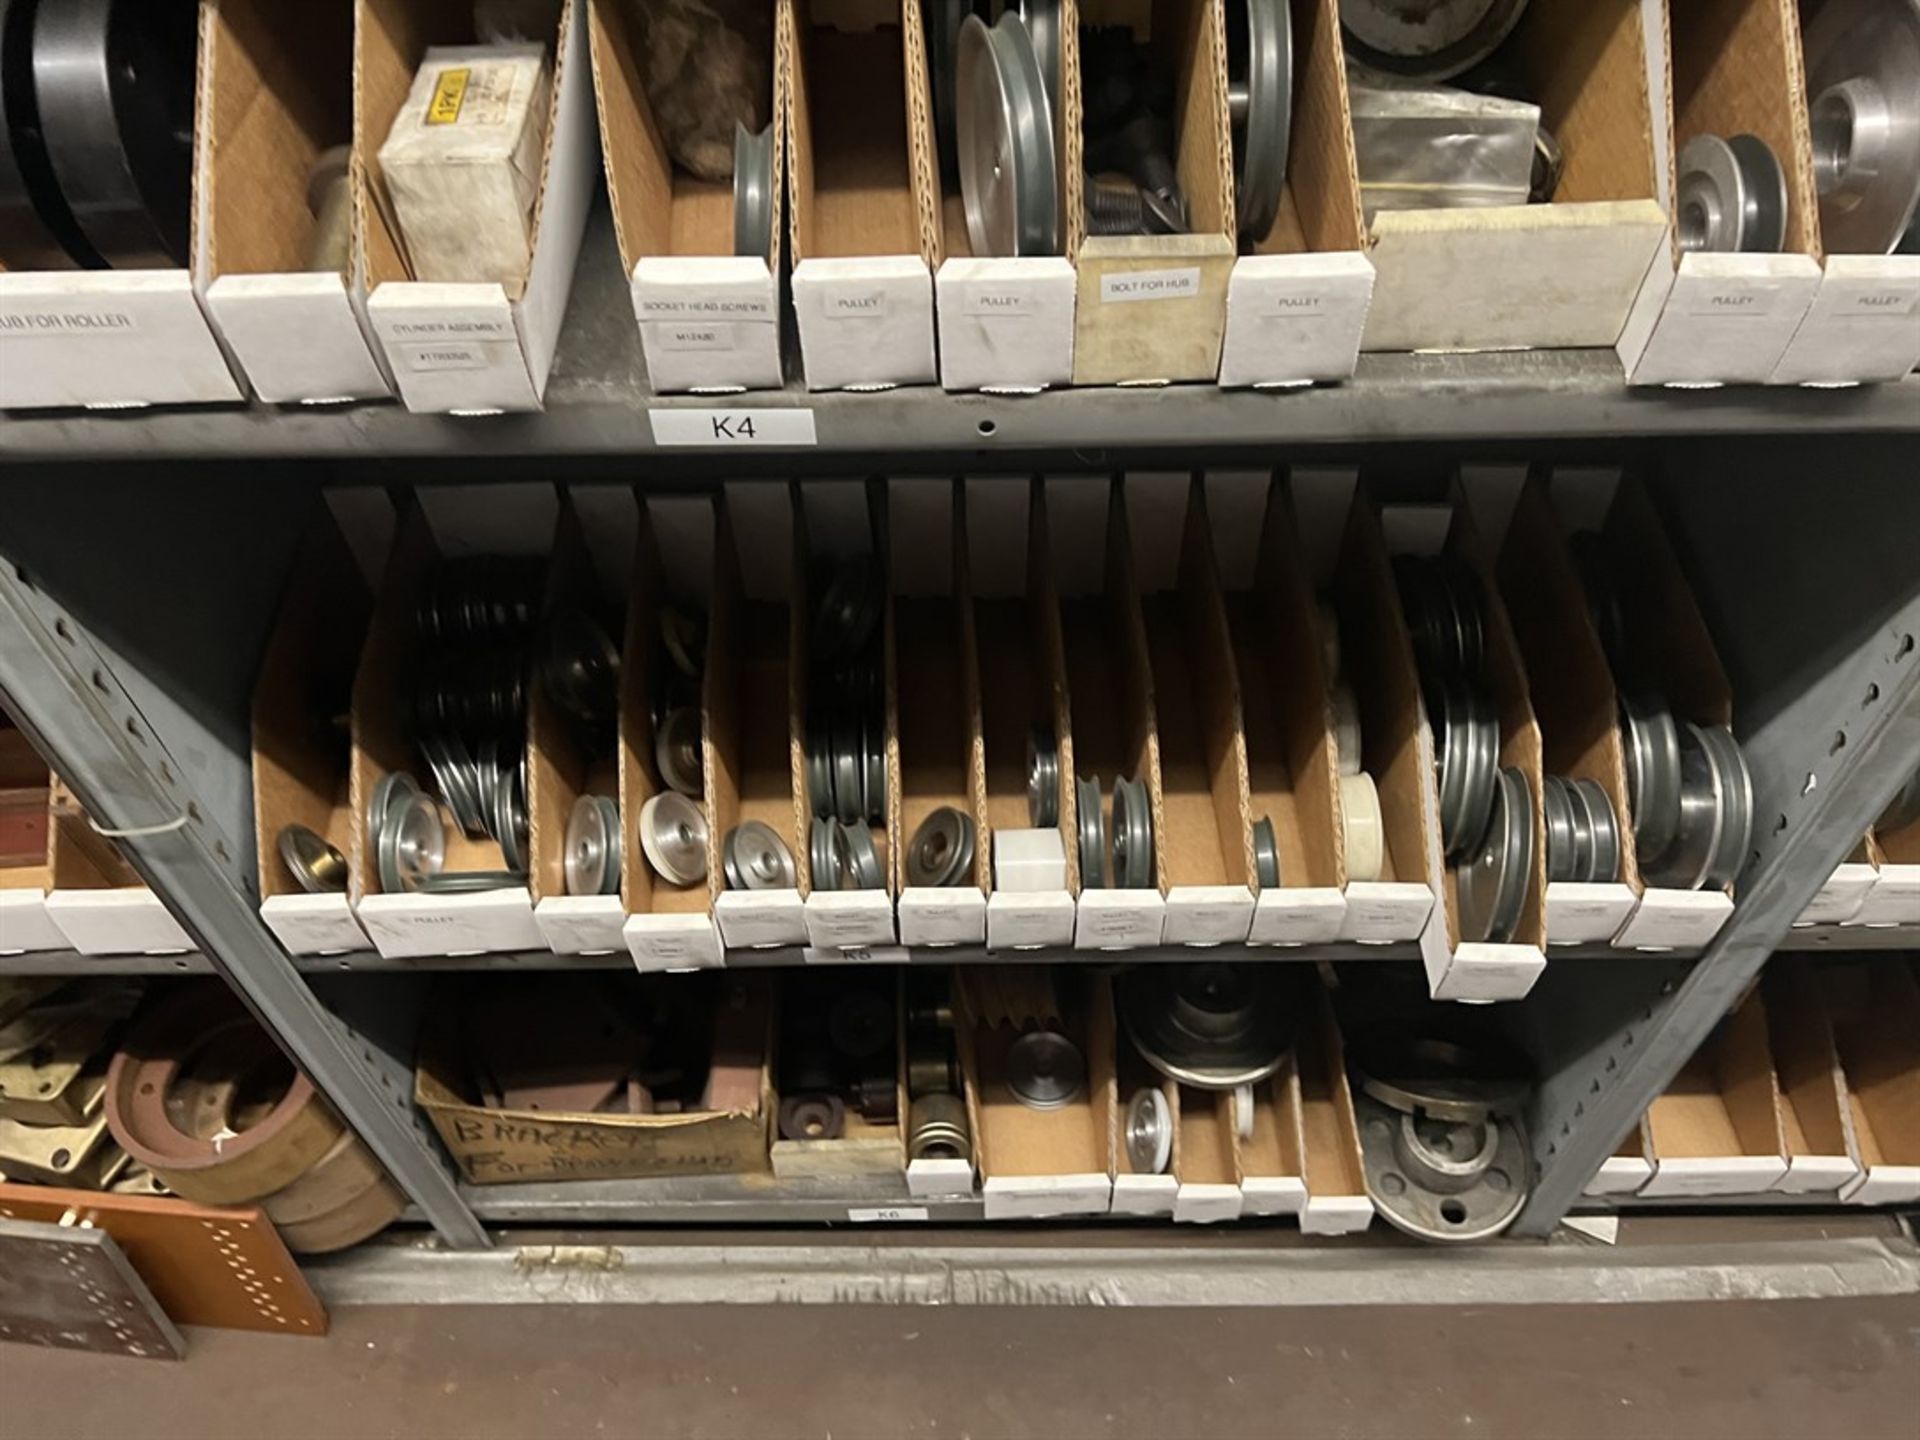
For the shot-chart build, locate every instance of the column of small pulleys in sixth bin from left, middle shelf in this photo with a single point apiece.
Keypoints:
(848, 727)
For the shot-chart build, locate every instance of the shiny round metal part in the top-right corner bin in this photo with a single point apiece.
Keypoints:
(1863, 74)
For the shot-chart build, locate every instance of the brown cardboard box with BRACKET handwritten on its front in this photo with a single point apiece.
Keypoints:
(725, 1026)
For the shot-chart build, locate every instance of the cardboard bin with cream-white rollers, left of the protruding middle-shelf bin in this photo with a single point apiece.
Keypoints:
(1399, 750)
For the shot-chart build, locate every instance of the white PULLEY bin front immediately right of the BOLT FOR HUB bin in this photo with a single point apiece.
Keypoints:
(1295, 320)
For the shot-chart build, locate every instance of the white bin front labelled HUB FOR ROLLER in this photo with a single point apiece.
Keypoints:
(110, 341)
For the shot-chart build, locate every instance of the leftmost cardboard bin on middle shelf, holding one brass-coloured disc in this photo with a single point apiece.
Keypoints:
(302, 744)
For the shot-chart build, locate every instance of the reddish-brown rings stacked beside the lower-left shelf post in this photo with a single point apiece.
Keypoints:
(201, 1095)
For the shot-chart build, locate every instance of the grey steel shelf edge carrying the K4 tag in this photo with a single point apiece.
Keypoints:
(598, 404)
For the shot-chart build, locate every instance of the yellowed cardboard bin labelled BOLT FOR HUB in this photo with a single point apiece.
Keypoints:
(1153, 310)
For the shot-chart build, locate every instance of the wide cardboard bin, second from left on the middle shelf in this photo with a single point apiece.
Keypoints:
(441, 525)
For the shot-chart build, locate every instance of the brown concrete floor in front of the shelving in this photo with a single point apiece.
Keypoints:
(1748, 1370)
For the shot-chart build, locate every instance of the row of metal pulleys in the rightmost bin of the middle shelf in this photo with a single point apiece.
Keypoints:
(1687, 784)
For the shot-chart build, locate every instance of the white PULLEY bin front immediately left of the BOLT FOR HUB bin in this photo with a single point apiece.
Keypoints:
(1007, 325)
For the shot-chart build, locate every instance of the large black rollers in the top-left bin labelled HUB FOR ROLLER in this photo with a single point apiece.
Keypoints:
(99, 133)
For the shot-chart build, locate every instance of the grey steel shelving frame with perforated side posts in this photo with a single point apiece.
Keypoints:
(141, 556)
